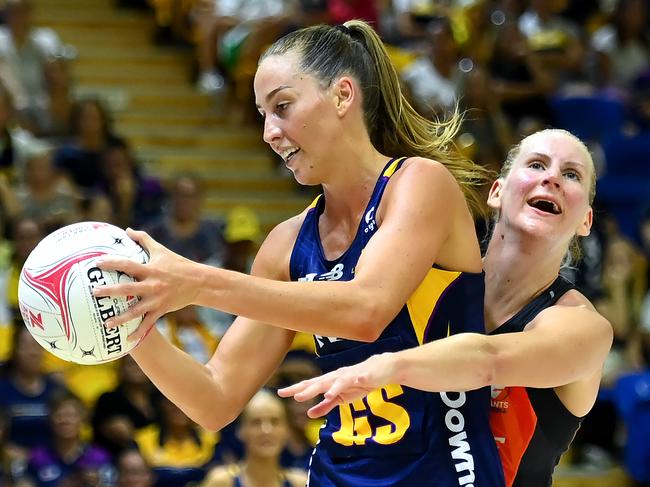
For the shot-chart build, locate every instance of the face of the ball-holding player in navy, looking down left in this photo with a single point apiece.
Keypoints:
(299, 116)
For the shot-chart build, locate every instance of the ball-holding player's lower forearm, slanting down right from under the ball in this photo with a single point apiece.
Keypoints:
(187, 383)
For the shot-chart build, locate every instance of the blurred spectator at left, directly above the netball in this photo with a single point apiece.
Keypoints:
(42, 197)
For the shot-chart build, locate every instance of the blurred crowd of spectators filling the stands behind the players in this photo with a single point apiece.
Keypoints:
(511, 66)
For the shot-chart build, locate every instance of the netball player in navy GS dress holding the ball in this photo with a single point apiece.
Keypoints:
(386, 258)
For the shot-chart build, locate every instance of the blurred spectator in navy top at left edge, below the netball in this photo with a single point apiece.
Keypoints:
(25, 392)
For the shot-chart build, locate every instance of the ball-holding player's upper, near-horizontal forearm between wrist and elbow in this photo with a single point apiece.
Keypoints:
(341, 309)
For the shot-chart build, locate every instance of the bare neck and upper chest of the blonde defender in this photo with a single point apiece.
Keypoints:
(517, 268)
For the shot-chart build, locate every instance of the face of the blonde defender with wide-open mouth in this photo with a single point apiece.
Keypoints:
(546, 192)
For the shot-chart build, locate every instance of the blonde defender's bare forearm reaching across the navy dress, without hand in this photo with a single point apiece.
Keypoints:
(458, 363)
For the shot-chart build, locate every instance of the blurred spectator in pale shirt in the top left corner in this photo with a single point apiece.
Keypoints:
(34, 57)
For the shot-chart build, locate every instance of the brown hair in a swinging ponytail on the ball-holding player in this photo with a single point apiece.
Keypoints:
(395, 127)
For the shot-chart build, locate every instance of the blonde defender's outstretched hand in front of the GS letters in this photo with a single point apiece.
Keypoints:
(343, 385)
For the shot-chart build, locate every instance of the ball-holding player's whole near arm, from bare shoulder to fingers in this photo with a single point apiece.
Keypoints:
(417, 214)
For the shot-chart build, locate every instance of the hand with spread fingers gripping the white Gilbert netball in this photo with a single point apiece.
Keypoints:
(166, 283)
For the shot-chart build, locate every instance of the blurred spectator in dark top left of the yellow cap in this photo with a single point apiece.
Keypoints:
(182, 227)
